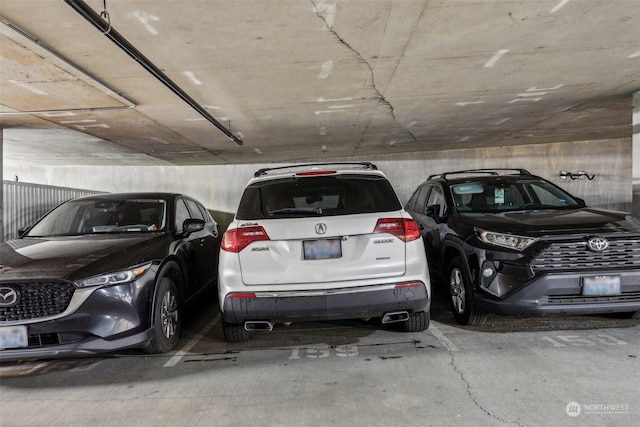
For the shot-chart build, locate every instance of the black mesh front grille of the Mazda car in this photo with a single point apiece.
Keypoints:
(37, 300)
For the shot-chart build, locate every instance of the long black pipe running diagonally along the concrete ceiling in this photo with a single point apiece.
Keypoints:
(107, 29)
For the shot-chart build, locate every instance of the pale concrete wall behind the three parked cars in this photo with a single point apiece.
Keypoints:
(220, 187)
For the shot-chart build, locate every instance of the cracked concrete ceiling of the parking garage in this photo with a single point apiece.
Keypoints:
(309, 79)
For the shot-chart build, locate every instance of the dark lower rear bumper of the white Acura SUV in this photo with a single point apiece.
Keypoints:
(333, 304)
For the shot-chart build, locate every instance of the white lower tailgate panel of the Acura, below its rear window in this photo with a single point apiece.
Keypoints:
(323, 250)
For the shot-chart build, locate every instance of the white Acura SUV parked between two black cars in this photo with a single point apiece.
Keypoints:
(317, 242)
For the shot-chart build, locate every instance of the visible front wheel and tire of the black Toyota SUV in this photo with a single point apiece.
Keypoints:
(461, 295)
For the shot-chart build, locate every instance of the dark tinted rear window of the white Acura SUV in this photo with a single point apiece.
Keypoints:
(317, 196)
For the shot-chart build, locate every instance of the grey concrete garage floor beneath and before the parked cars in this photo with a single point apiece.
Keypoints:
(526, 372)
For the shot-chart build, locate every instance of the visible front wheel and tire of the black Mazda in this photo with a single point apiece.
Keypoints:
(167, 318)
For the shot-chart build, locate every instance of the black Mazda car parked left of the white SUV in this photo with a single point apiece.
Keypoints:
(105, 272)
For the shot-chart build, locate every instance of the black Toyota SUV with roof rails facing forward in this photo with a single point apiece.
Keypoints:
(509, 242)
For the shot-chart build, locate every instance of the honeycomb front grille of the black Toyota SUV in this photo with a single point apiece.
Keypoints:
(575, 256)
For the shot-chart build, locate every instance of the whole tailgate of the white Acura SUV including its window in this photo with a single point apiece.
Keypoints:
(324, 229)
